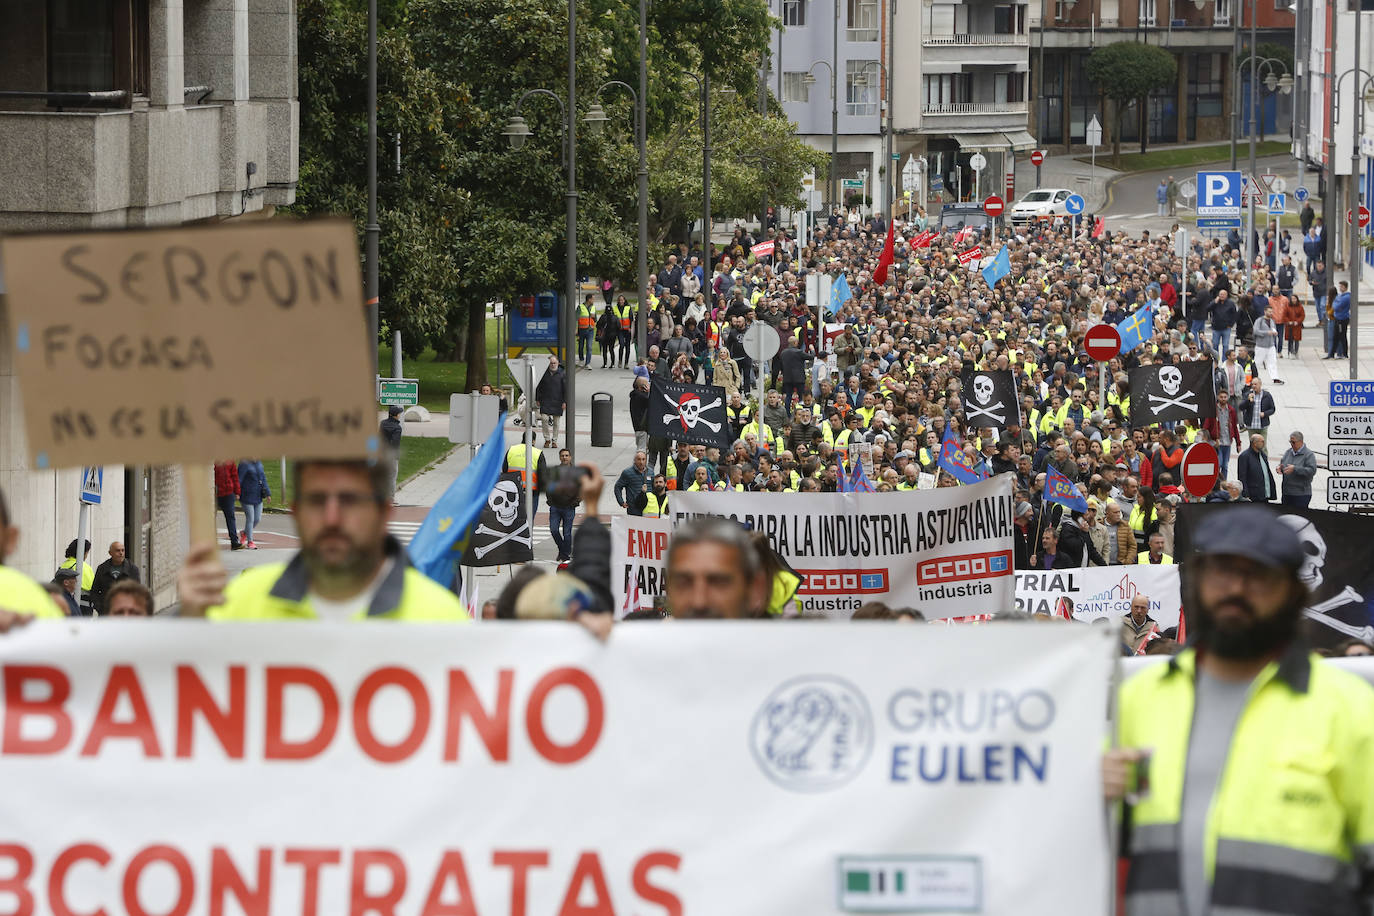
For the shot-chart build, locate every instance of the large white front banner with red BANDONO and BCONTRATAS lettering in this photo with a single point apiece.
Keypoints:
(521, 768)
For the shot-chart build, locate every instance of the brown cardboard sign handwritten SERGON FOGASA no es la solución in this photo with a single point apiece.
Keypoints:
(192, 345)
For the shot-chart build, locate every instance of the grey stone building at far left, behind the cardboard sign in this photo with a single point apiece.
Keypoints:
(133, 113)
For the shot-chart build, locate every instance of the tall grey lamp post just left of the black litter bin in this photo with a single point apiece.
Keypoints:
(516, 134)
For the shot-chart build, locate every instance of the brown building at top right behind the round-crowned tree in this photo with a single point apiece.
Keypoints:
(1206, 104)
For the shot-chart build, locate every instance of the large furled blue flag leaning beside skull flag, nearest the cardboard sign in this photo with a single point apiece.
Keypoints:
(439, 546)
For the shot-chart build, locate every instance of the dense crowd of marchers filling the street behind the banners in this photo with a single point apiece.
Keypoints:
(886, 384)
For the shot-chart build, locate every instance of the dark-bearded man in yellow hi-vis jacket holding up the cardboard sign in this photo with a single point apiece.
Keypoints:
(348, 569)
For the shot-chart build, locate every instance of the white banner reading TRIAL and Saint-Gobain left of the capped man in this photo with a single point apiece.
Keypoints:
(1103, 593)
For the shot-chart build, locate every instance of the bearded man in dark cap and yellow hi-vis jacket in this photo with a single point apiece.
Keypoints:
(1261, 756)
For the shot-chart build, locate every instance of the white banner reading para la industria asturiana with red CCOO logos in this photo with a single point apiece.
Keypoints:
(946, 553)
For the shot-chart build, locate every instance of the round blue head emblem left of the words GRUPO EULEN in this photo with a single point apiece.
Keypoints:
(813, 734)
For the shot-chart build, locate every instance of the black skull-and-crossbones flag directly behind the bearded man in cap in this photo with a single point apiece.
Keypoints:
(1336, 568)
